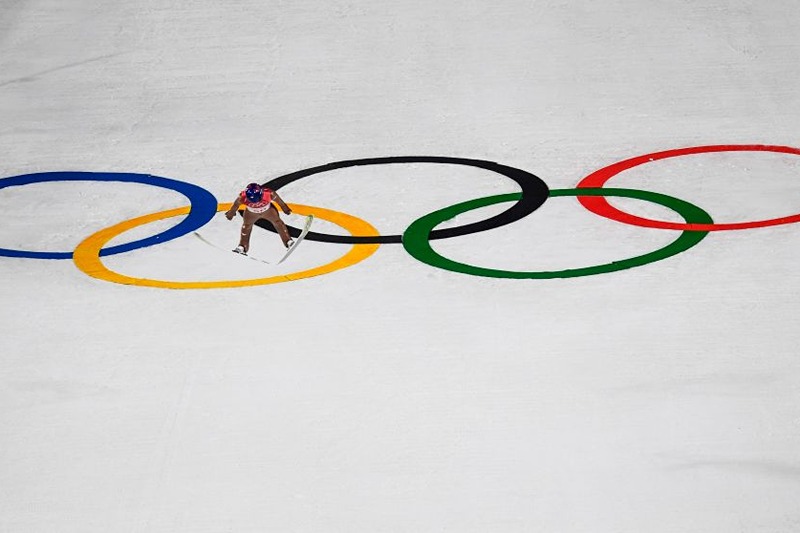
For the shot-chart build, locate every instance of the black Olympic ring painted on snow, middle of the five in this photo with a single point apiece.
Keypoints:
(533, 195)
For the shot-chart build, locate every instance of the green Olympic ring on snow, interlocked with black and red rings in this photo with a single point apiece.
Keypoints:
(416, 242)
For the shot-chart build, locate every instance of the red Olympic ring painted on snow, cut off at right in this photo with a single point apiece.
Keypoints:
(600, 206)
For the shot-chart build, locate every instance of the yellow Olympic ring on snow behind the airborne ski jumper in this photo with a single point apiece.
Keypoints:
(87, 254)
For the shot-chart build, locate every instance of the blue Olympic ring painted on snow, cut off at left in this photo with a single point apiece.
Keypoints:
(203, 208)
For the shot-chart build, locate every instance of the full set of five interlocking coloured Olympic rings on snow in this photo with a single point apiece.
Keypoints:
(417, 238)
